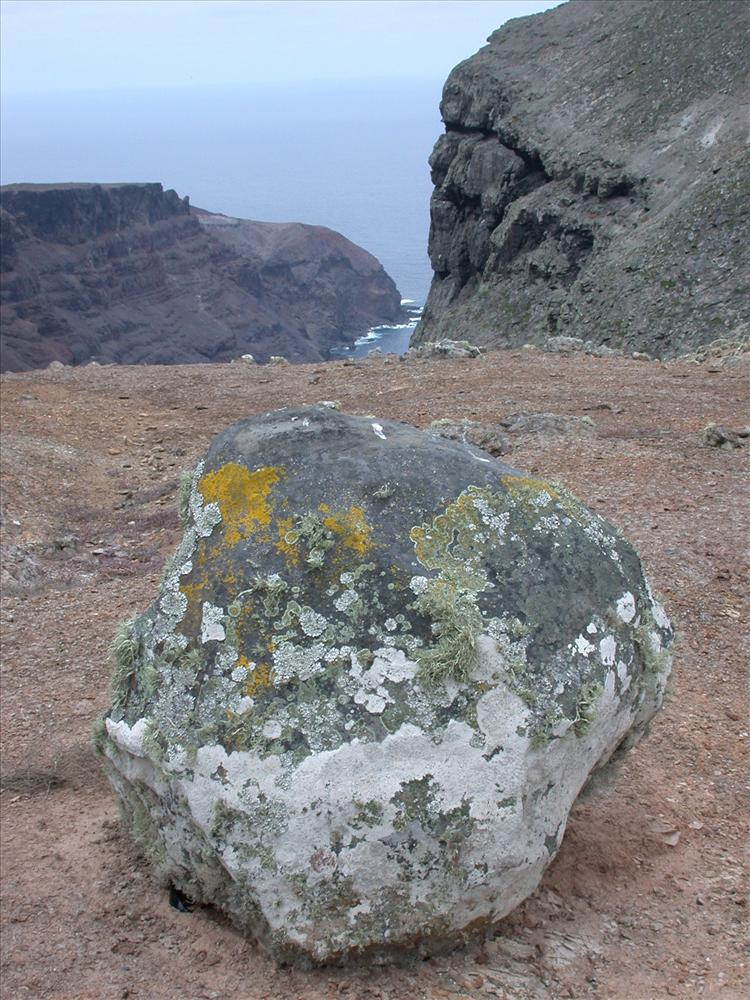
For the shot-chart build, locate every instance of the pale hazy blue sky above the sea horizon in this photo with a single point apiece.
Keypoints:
(72, 45)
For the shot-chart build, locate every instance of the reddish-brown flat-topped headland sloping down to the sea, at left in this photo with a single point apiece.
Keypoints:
(130, 273)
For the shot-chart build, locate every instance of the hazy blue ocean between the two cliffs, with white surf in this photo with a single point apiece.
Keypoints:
(350, 158)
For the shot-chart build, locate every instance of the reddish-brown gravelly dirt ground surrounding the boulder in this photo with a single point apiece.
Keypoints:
(627, 911)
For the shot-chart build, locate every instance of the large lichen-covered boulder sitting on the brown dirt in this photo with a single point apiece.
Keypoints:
(377, 673)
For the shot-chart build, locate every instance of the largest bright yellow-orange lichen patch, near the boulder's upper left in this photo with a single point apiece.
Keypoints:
(242, 497)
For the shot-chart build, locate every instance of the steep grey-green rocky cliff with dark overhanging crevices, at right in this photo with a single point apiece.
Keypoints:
(593, 179)
